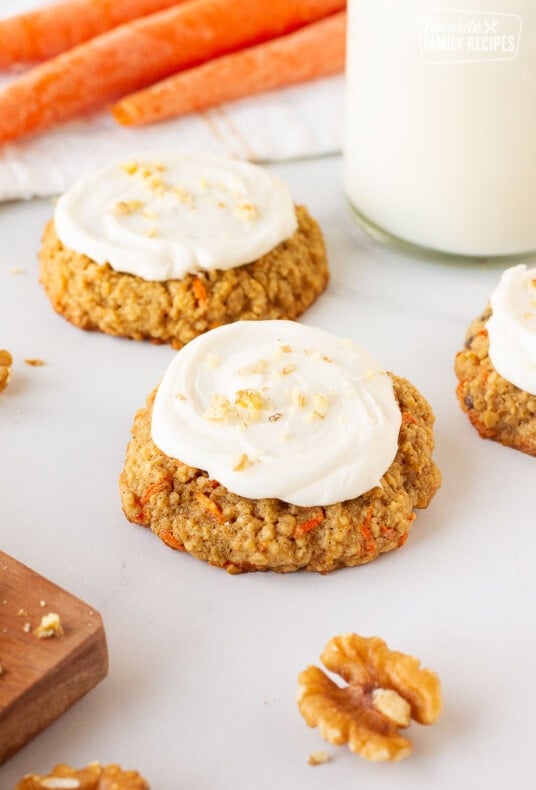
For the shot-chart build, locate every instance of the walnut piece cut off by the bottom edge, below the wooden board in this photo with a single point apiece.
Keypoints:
(93, 777)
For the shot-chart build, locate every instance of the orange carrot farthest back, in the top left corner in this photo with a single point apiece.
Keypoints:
(45, 32)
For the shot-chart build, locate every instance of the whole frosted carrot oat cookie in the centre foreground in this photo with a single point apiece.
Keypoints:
(273, 445)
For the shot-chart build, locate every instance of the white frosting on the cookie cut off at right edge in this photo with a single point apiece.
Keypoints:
(512, 327)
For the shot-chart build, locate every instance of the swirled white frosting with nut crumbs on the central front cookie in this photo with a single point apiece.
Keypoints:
(279, 409)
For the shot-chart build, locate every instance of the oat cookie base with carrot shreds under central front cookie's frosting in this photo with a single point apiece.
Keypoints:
(190, 512)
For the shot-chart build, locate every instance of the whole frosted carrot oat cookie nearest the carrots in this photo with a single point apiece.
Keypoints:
(165, 247)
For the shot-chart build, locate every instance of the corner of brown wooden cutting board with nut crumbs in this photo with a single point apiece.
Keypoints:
(42, 677)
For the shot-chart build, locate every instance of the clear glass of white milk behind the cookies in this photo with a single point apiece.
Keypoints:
(440, 143)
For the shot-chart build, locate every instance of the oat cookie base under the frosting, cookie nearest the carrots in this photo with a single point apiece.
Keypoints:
(280, 284)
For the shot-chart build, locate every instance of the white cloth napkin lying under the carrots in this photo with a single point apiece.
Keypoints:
(296, 122)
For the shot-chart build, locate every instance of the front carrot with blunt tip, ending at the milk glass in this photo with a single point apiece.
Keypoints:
(313, 51)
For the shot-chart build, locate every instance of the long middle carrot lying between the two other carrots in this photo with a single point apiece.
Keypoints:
(140, 52)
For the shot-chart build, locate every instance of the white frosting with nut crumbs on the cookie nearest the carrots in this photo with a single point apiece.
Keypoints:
(163, 216)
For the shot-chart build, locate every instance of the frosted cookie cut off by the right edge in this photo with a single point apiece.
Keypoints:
(497, 367)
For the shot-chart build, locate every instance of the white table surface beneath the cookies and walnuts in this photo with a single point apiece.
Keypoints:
(203, 665)
